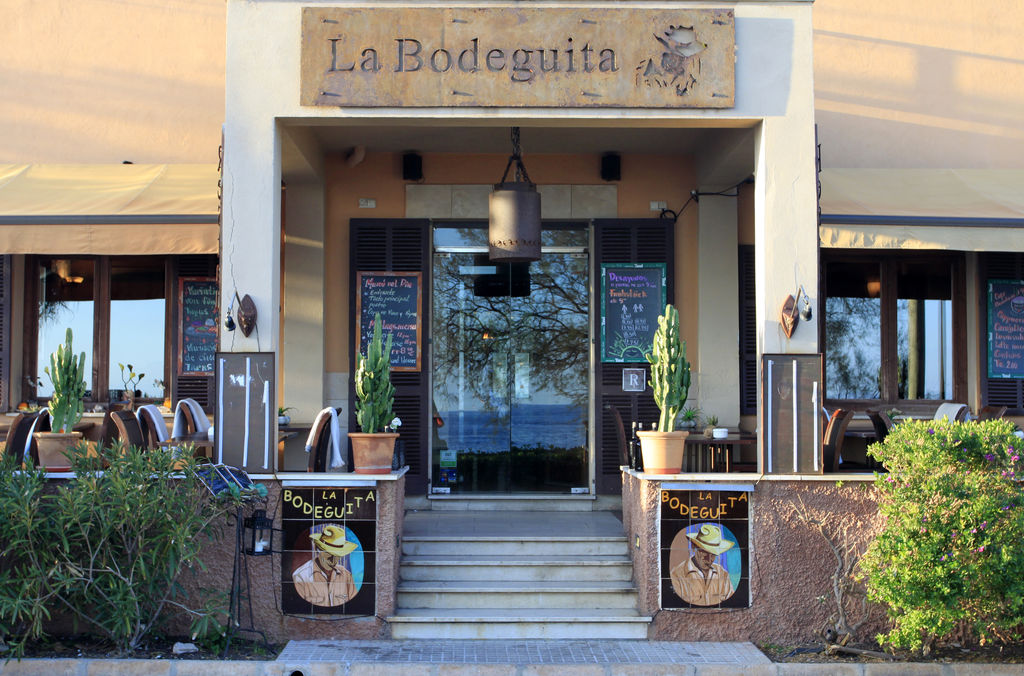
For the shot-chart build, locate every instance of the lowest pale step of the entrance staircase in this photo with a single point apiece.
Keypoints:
(519, 623)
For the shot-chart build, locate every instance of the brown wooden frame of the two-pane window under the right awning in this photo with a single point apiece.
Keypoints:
(888, 263)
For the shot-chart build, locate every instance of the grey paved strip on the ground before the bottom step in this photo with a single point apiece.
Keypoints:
(526, 652)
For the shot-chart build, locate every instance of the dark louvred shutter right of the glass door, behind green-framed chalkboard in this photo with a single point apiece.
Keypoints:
(642, 241)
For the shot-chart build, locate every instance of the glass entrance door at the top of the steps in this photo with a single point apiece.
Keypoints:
(511, 365)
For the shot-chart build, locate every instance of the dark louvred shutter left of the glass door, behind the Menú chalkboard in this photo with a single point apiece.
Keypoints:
(398, 246)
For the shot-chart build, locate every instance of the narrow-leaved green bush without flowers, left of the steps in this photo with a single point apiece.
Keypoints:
(107, 548)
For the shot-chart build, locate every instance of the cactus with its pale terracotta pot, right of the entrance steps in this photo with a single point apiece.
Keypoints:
(670, 381)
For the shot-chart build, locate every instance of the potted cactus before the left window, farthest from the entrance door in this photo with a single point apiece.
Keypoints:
(67, 375)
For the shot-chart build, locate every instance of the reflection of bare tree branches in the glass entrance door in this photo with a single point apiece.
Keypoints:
(550, 325)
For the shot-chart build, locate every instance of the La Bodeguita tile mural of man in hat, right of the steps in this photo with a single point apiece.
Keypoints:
(705, 550)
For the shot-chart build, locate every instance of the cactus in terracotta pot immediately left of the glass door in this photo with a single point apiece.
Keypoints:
(373, 449)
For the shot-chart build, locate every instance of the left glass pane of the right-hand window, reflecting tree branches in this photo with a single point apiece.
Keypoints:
(854, 355)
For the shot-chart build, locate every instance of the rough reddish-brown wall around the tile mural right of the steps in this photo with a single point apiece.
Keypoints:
(792, 566)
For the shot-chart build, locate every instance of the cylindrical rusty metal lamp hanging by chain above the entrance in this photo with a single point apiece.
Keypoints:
(515, 229)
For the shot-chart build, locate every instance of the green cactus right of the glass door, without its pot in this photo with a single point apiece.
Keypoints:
(670, 372)
